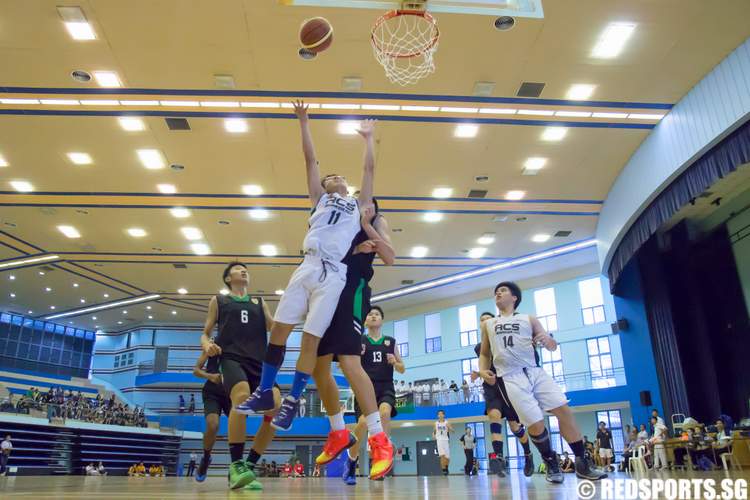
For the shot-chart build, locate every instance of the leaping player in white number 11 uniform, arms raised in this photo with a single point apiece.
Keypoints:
(313, 291)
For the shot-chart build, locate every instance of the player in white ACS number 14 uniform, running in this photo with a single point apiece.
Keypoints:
(508, 342)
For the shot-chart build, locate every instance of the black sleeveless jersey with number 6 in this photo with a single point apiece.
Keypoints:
(242, 328)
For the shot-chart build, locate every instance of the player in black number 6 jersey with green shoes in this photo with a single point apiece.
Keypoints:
(241, 342)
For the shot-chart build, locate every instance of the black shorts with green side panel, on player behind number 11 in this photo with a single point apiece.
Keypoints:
(344, 334)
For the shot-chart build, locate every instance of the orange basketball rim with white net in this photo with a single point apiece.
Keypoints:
(404, 42)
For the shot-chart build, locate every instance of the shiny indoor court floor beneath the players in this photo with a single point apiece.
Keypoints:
(514, 486)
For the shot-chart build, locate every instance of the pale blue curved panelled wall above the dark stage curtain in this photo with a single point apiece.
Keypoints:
(713, 108)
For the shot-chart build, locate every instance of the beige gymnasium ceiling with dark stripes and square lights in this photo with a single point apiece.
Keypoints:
(171, 46)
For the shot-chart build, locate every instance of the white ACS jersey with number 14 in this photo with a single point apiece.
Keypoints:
(511, 343)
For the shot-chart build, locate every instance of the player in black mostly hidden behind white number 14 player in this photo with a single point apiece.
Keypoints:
(496, 408)
